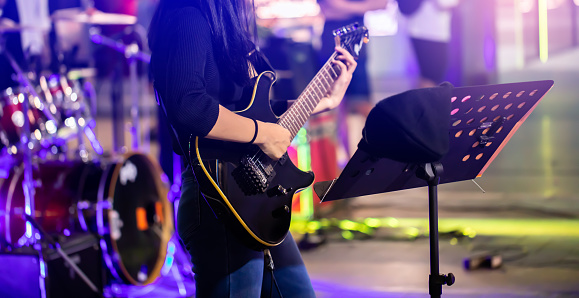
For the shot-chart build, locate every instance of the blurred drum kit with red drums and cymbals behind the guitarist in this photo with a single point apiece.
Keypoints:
(45, 194)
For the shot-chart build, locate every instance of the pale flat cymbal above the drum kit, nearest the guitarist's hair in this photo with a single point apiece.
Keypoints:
(94, 17)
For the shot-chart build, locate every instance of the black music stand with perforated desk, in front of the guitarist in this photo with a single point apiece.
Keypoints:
(483, 119)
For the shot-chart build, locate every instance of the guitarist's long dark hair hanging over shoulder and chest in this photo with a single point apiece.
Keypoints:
(232, 24)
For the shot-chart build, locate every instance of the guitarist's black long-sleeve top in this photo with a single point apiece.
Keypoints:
(187, 75)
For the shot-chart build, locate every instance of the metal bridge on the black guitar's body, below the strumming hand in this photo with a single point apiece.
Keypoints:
(250, 176)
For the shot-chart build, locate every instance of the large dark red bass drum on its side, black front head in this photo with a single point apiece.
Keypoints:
(125, 202)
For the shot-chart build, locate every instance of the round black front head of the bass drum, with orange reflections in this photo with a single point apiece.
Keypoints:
(135, 219)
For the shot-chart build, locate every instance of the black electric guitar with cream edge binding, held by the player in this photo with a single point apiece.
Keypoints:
(252, 192)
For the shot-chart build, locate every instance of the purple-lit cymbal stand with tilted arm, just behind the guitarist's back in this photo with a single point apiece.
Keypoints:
(133, 54)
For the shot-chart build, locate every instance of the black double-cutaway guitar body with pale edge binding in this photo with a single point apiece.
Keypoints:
(261, 219)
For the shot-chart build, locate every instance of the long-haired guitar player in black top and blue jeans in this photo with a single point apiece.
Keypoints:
(203, 58)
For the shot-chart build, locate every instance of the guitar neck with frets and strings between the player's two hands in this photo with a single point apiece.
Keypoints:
(296, 116)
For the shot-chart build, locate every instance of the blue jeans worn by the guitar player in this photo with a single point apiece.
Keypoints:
(223, 266)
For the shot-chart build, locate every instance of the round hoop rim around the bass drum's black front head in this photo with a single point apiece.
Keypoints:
(167, 224)
